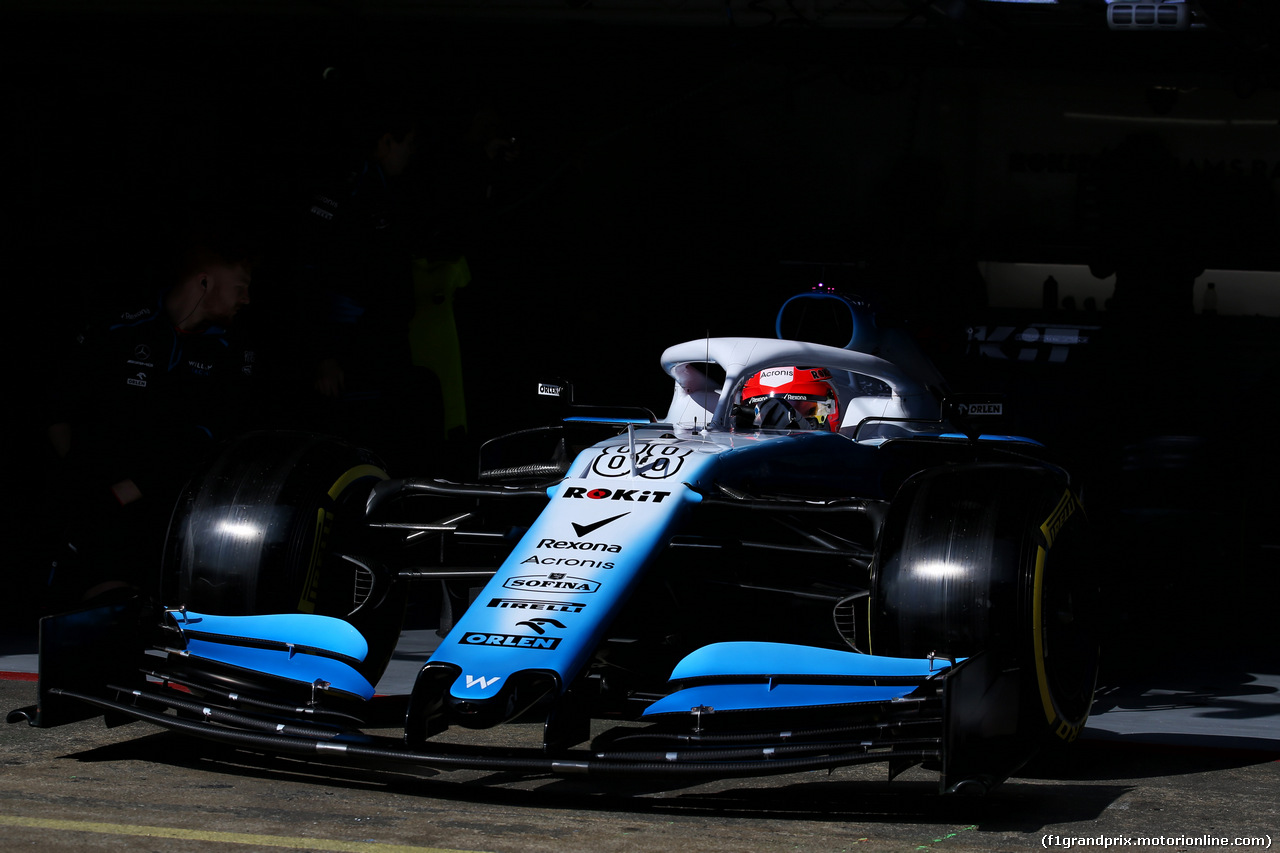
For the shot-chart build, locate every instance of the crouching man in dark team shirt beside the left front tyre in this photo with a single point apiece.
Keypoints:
(140, 399)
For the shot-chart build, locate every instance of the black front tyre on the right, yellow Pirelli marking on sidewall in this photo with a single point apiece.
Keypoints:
(993, 558)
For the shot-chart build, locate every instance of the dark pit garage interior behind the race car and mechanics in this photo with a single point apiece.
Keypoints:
(977, 170)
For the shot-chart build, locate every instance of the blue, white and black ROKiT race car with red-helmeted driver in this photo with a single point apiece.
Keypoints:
(815, 559)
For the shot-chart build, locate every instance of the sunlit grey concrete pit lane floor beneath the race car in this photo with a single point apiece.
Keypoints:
(1177, 756)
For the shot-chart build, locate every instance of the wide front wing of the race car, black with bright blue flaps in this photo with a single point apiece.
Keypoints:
(737, 709)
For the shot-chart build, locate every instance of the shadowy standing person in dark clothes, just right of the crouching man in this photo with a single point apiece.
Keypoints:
(362, 236)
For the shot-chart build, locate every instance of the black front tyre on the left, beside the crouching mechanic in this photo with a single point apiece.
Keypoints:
(275, 526)
